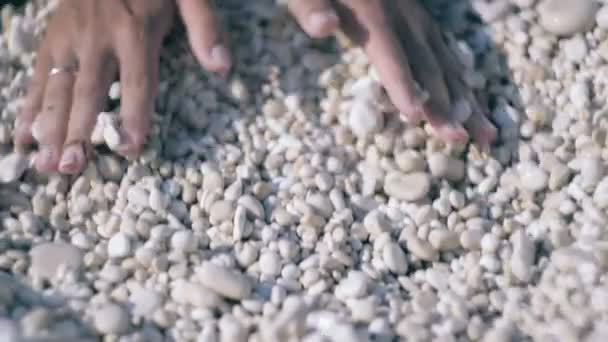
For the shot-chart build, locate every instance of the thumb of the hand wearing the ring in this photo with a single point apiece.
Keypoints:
(204, 36)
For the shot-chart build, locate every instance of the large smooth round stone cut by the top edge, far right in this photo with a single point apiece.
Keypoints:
(567, 17)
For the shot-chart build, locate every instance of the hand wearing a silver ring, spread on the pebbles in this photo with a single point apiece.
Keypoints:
(89, 42)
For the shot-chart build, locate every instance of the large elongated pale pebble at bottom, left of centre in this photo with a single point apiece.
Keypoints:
(226, 282)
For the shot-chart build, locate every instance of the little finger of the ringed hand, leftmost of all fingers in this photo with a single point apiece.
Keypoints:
(33, 100)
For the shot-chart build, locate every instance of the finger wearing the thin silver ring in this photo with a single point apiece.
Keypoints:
(50, 126)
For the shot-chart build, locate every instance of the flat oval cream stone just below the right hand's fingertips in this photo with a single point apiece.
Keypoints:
(408, 187)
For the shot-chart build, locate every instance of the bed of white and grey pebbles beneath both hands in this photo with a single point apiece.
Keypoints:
(290, 202)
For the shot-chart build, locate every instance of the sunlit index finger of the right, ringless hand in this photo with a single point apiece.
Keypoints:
(368, 26)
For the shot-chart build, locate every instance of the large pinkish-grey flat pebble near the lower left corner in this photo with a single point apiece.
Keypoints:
(48, 258)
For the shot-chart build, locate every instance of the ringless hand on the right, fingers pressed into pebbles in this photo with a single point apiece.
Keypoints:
(406, 47)
